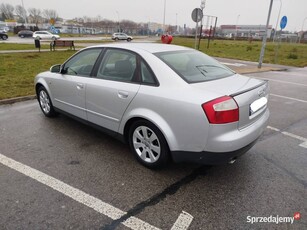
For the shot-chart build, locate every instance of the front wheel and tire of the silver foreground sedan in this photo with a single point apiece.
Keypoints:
(45, 102)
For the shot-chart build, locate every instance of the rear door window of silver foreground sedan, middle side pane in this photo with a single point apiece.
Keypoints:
(117, 65)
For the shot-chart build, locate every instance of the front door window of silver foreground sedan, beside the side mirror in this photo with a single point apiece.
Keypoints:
(82, 63)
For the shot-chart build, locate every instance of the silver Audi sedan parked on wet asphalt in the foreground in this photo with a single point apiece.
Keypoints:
(167, 102)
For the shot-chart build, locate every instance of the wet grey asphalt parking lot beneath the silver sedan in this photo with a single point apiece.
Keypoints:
(60, 174)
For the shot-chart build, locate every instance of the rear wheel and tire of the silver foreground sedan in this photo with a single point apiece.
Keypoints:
(148, 144)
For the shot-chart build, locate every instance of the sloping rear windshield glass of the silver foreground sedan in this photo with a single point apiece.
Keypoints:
(194, 66)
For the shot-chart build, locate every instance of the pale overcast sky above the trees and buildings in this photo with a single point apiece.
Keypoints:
(252, 12)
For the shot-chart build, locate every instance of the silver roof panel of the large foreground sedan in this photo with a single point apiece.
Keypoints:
(148, 47)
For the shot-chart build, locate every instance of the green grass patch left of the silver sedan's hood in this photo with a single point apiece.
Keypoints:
(17, 71)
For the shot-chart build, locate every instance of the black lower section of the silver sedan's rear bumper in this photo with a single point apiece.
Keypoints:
(210, 158)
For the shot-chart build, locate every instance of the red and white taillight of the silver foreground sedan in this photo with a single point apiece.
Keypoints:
(221, 110)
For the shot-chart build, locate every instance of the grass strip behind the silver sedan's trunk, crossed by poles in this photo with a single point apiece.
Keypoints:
(288, 54)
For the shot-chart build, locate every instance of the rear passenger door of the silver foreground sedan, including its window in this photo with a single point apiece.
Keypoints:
(116, 83)
